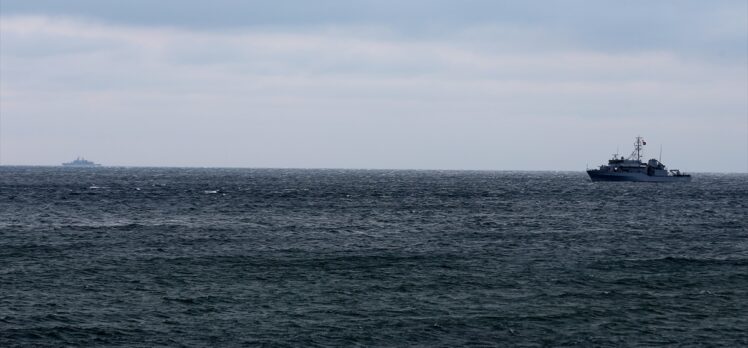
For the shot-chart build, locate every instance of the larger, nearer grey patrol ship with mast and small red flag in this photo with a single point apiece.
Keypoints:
(633, 169)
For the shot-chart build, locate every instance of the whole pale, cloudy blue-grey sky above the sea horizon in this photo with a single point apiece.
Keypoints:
(418, 84)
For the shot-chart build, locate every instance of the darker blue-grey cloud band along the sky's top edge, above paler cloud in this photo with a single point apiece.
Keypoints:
(715, 29)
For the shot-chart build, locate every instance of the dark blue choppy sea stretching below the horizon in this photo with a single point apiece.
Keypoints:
(256, 257)
